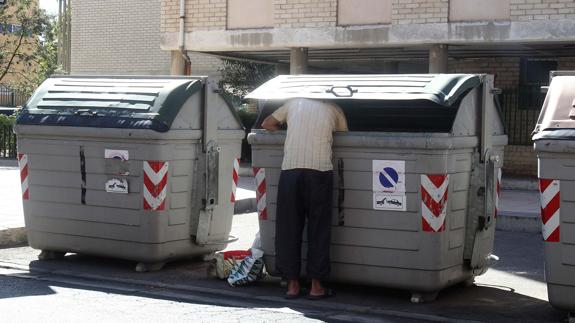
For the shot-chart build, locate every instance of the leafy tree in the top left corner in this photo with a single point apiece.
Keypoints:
(28, 48)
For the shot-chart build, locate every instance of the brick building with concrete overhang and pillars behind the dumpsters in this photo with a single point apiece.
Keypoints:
(518, 41)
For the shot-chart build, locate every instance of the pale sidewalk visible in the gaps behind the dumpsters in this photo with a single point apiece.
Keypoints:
(519, 203)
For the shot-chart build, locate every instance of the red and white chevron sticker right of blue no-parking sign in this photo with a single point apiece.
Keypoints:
(434, 189)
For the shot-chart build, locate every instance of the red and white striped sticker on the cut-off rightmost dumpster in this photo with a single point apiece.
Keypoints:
(550, 209)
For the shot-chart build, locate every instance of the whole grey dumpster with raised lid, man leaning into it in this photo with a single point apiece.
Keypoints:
(415, 187)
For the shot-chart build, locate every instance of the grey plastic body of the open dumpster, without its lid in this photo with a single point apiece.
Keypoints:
(399, 244)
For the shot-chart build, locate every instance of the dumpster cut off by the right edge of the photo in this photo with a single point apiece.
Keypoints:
(554, 141)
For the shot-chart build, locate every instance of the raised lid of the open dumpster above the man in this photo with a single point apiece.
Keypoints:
(443, 89)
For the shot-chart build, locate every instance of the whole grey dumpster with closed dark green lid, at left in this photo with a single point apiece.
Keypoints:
(128, 167)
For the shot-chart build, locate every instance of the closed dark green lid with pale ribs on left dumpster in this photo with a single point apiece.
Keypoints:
(109, 101)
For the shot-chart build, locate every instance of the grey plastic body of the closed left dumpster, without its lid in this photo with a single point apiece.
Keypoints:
(128, 193)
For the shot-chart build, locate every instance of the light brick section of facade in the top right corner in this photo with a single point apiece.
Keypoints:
(542, 9)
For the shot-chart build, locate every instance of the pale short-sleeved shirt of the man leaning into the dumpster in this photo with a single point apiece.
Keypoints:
(311, 124)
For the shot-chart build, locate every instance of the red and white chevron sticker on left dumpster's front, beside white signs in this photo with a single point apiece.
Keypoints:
(155, 185)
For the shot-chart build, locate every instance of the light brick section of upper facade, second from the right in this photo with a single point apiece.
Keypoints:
(419, 11)
